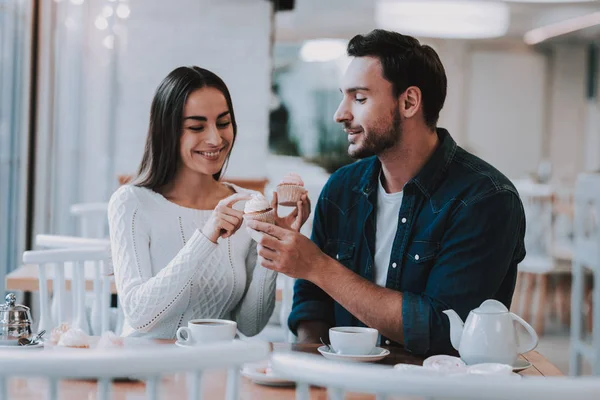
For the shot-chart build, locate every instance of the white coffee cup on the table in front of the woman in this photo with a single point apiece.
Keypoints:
(202, 331)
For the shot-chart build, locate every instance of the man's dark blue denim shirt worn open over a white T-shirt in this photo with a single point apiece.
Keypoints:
(459, 238)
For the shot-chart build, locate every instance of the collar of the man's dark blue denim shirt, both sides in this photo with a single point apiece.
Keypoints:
(427, 179)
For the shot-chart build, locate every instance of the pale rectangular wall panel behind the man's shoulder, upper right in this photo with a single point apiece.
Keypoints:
(505, 119)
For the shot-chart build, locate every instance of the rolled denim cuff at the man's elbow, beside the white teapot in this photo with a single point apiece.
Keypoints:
(415, 320)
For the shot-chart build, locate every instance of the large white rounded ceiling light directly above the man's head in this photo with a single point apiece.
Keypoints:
(444, 19)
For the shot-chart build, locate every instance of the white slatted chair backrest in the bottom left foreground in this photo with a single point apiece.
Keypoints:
(144, 363)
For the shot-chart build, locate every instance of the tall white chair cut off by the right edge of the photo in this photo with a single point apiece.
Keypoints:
(586, 258)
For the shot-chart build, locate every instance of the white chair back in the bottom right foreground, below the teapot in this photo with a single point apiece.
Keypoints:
(384, 382)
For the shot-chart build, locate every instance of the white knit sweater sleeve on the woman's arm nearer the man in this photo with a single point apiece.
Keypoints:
(256, 307)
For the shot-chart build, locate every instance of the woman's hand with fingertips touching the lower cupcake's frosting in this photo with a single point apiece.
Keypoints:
(224, 220)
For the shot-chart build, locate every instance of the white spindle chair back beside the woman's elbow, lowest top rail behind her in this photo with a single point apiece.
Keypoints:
(77, 259)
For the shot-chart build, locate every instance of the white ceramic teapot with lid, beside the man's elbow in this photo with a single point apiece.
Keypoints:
(489, 335)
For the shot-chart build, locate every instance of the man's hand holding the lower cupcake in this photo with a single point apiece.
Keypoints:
(288, 252)
